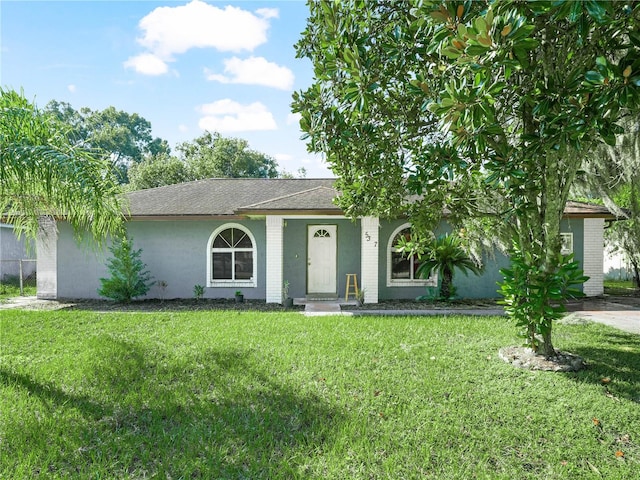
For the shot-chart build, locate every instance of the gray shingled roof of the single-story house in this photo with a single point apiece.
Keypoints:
(247, 196)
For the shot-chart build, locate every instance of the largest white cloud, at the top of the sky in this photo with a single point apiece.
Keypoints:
(171, 30)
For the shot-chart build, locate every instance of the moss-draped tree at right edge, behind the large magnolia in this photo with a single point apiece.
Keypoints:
(613, 174)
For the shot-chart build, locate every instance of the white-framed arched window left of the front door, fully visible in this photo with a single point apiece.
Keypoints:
(231, 257)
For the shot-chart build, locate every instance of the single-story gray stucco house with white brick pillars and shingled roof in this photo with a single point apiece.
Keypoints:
(254, 234)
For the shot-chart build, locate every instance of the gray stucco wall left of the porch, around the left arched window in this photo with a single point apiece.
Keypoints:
(174, 251)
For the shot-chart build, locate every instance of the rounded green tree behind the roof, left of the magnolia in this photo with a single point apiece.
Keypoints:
(212, 155)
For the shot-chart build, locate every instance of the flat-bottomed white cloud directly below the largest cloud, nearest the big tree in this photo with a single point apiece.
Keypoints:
(254, 71)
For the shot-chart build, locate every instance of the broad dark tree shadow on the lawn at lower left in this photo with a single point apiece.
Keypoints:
(207, 414)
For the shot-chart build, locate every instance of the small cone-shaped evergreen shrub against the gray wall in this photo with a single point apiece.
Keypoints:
(129, 279)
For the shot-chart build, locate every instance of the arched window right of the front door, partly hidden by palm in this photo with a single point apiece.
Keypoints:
(401, 268)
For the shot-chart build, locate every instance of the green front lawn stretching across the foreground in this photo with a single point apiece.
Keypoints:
(278, 396)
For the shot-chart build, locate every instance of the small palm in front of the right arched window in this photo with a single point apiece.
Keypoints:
(444, 255)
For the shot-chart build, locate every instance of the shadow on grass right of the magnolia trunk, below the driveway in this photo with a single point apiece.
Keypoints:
(614, 363)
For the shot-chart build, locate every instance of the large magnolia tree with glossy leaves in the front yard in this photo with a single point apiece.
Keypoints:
(484, 108)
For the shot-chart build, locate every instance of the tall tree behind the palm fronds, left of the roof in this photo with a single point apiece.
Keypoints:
(126, 138)
